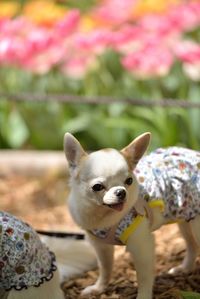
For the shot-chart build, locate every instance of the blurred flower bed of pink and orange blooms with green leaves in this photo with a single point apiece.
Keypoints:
(130, 49)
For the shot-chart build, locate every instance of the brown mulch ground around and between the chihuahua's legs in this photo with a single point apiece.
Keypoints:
(41, 202)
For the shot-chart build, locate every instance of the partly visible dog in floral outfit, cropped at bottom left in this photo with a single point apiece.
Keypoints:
(27, 267)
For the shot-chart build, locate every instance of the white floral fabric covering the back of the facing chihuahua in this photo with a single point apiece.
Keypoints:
(172, 175)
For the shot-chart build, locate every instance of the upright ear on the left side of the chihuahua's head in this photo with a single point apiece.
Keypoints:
(73, 151)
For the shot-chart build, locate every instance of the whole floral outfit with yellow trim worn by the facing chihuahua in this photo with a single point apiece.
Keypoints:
(168, 179)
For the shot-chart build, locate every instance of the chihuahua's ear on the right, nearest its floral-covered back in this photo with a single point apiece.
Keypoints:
(136, 149)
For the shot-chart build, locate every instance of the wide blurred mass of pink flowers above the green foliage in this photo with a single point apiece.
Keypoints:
(148, 46)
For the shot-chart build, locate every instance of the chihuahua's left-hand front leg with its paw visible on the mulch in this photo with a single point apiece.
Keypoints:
(104, 254)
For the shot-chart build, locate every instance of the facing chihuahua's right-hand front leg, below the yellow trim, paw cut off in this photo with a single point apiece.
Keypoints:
(141, 246)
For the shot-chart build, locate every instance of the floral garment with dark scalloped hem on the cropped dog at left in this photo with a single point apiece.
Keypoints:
(24, 260)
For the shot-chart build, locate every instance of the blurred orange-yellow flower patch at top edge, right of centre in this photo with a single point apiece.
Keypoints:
(143, 7)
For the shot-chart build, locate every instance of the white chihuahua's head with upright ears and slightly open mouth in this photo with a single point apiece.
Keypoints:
(104, 177)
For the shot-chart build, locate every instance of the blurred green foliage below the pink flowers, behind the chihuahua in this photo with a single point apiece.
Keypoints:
(42, 125)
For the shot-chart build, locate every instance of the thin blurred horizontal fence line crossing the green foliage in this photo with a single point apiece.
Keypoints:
(77, 99)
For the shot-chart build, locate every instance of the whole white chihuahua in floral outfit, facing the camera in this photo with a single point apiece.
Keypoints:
(114, 207)
